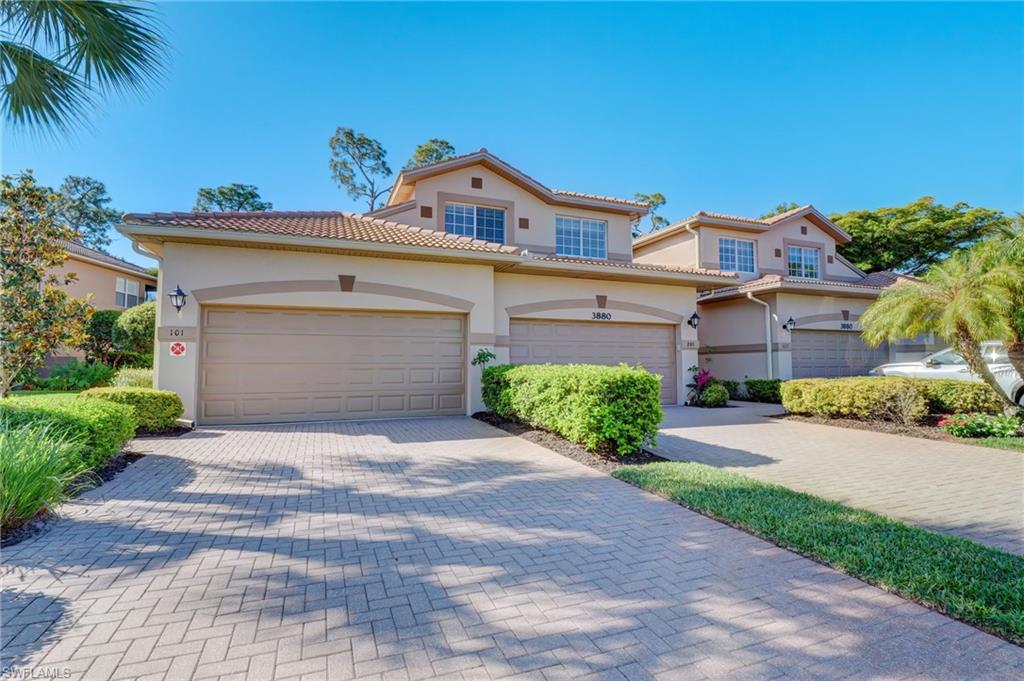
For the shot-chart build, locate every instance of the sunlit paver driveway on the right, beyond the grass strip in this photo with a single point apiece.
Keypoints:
(972, 492)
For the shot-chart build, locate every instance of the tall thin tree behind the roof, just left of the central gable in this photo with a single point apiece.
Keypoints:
(359, 165)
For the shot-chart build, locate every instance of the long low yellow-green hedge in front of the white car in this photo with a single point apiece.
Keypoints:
(886, 398)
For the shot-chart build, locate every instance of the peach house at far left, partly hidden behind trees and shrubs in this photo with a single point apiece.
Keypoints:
(113, 283)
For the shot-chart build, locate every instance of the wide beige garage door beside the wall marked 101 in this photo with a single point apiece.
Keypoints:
(273, 365)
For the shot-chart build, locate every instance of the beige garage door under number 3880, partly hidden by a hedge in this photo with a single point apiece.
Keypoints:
(653, 346)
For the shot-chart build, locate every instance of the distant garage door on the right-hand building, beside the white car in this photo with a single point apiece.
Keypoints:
(831, 354)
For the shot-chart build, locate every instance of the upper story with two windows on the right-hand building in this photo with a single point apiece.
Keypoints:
(799, 244)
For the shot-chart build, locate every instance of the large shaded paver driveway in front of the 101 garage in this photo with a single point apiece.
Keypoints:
(437, 548)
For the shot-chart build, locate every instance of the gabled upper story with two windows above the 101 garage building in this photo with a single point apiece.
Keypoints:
(482, 197)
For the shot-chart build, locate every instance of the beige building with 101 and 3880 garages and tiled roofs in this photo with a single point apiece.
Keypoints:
(308, 316)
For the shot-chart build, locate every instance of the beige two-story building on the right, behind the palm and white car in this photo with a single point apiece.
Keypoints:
(790, 271)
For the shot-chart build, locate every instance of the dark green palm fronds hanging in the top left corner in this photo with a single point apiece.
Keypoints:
(58, 58)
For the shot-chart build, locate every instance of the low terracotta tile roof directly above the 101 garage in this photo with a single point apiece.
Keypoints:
(320, 225)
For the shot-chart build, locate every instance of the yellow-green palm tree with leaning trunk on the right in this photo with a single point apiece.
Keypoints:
(962, 299)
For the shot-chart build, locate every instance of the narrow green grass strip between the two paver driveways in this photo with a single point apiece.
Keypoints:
(967, 581)
